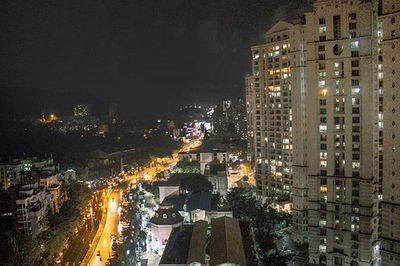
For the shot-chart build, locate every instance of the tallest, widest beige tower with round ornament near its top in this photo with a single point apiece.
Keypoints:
(342, 132)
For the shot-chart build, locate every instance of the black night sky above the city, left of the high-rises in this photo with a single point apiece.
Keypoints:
(152, 53)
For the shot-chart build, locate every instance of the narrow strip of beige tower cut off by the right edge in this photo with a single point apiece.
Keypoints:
(390, 235)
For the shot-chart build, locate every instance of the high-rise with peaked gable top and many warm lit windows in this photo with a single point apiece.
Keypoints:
(270, 113)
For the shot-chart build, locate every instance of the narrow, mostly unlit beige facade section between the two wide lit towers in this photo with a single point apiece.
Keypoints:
(299, 134)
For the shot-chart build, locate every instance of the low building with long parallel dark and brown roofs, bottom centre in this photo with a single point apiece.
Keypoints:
(190, 244)
